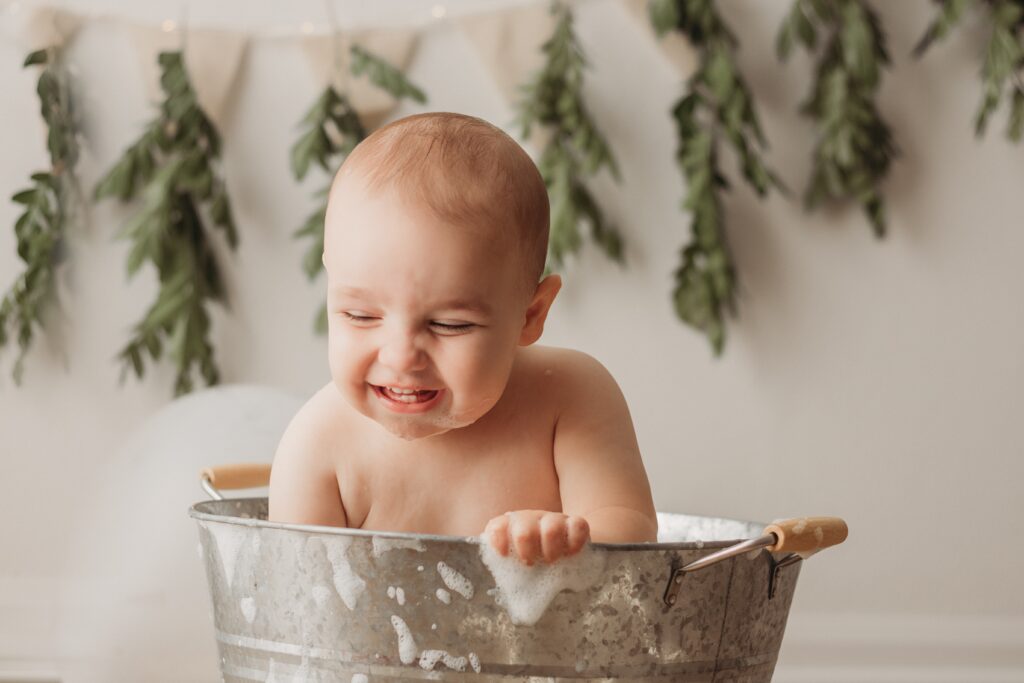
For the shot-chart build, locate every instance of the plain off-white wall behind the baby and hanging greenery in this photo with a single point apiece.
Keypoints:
(880, 381)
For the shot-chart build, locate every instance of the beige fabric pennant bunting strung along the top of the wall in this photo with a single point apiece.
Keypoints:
(507, 41)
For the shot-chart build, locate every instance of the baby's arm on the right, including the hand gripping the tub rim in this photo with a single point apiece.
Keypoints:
(603, 483)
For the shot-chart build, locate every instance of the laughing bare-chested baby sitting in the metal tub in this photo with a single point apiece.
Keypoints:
(442, 416)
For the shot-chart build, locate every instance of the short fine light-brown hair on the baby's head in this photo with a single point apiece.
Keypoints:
(468, 172)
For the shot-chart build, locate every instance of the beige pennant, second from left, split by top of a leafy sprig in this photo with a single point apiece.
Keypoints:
(212, 60)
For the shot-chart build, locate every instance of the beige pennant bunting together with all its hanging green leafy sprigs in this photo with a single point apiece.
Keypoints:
(173, 173)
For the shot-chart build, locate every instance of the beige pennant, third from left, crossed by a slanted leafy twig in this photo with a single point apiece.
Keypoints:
(329, 58)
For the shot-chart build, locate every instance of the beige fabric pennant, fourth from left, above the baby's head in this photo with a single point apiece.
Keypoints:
(509, 44)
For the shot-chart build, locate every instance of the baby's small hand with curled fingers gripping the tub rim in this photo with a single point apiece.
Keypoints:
(534, 535)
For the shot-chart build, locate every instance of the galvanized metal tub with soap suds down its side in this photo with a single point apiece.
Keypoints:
(312, 604)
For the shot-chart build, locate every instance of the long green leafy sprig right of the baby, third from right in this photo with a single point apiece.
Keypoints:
(718, 106)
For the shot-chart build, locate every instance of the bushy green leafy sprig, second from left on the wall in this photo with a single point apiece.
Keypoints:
(175, 169)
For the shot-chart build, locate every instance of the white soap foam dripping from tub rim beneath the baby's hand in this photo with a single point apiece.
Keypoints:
(526, 592)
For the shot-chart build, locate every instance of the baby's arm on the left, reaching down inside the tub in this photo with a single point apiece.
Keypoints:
(304, 482)
